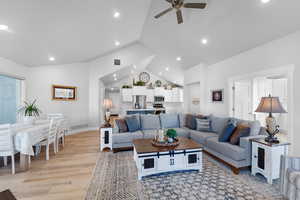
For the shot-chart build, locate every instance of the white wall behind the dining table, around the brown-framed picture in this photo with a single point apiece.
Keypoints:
(41, 79)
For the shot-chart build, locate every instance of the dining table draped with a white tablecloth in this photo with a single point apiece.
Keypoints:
(26, 136)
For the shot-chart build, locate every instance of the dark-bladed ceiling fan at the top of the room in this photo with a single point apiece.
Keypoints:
(177, 5)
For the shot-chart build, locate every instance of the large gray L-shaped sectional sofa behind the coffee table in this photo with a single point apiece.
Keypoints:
(236, 156)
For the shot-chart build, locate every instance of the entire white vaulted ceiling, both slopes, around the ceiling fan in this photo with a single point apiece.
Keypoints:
(77, 30)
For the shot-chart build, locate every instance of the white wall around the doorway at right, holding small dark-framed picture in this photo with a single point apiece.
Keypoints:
(278, 53)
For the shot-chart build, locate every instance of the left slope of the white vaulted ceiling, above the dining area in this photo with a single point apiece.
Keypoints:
(69, 30)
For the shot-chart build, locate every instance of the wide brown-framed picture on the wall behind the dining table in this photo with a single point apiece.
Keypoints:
(64, 93)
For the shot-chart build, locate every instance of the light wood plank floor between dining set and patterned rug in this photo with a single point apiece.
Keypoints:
(65, 176)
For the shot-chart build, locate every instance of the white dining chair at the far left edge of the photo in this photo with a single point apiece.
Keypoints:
(7, 145)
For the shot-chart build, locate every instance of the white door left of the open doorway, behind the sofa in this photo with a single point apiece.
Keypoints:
(242, 103)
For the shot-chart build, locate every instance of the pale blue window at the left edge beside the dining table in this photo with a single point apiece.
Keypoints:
(10, 99)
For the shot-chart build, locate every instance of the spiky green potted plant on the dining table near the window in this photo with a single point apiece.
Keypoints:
(30, 111)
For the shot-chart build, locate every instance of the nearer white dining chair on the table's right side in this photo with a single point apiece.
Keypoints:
(51, 139)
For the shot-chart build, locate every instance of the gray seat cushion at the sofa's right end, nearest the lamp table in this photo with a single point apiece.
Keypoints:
(232, 151)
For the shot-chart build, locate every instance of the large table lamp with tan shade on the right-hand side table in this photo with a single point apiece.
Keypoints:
(271, 105)
